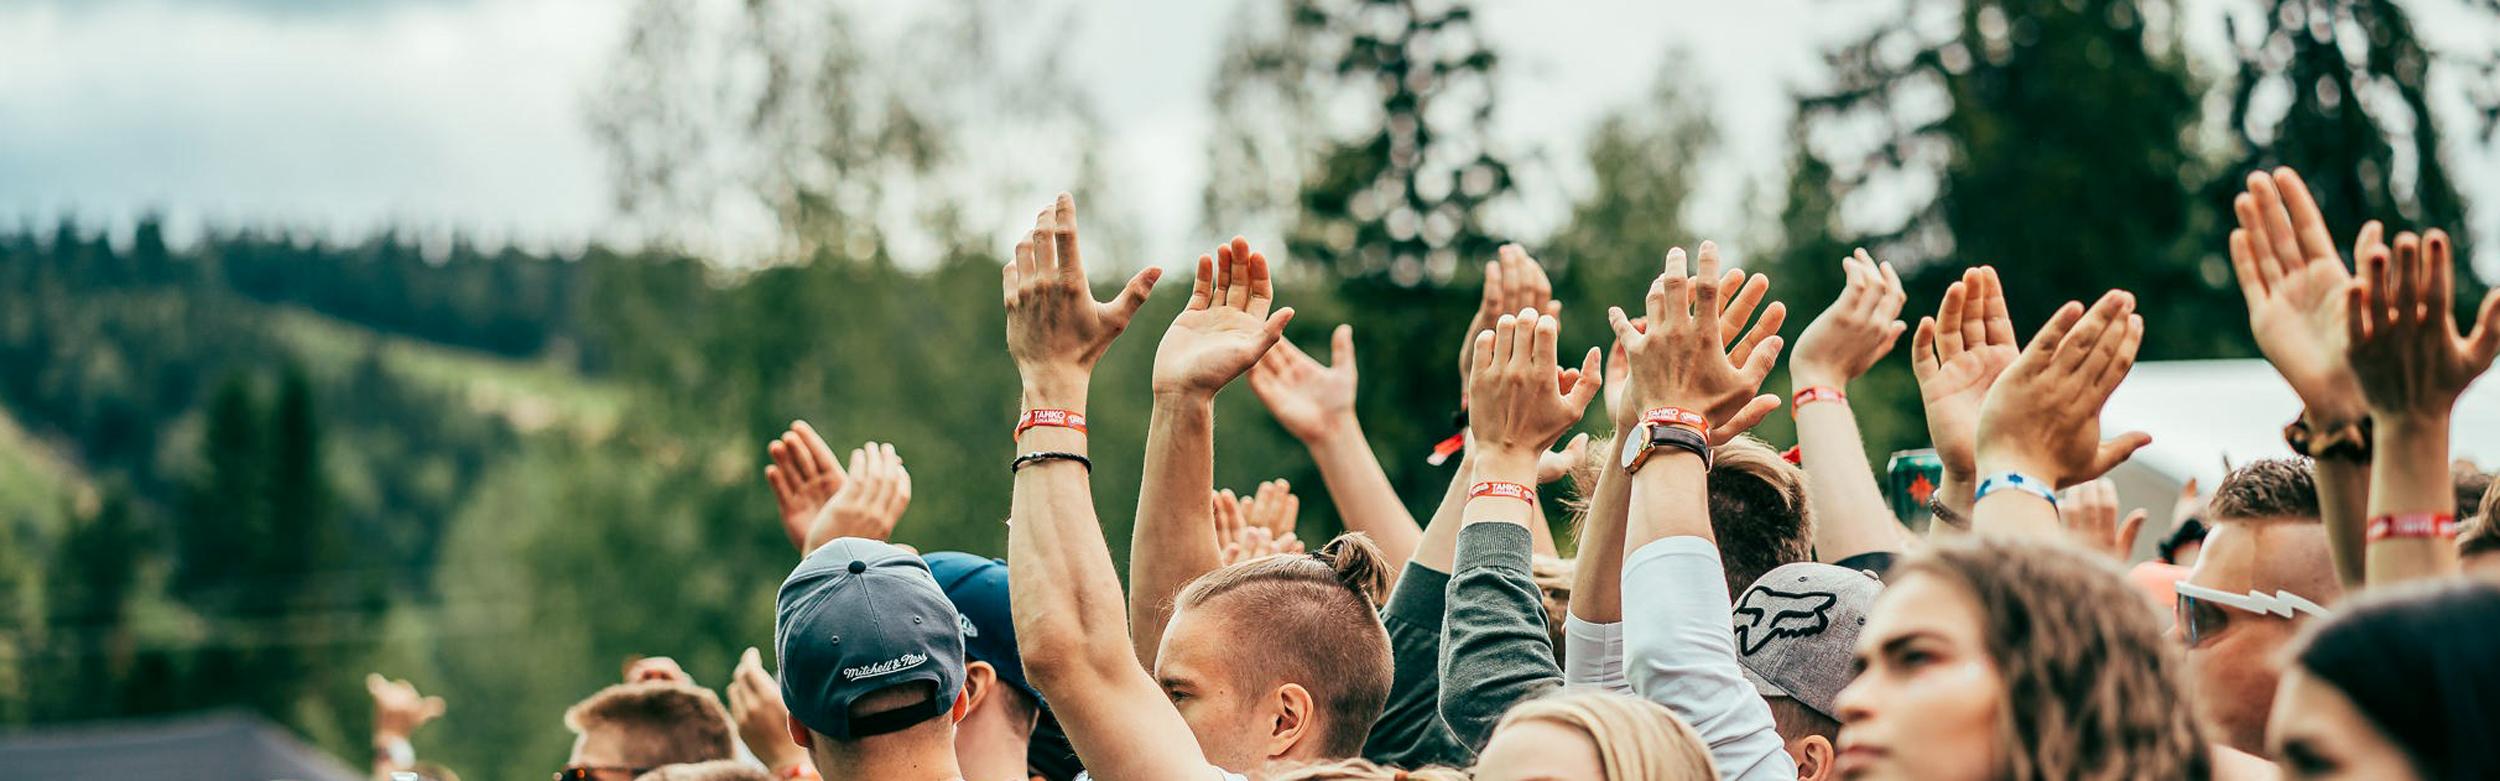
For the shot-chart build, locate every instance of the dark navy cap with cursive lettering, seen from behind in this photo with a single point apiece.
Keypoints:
(861, 617)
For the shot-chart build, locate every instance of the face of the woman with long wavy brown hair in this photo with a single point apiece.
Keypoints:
(1929, 697)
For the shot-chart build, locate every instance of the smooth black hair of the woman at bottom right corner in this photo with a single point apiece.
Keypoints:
(2419, 662)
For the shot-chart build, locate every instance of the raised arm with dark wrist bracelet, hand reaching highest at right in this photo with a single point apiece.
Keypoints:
(2294, 287)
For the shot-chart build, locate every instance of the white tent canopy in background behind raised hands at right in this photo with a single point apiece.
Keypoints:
(2206, 412)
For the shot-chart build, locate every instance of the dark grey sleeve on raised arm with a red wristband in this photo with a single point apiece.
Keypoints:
(1496, 650)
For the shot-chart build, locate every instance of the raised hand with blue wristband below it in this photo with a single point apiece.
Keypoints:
(2044, 414)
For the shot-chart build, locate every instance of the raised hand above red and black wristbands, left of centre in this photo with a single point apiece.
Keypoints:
(1056, 329)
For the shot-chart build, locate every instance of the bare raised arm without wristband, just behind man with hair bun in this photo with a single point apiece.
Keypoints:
(1214, 342)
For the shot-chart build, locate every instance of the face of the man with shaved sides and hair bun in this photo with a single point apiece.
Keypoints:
(1199, 667)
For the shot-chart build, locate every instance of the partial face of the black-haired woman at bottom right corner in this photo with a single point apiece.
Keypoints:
(2321, 737)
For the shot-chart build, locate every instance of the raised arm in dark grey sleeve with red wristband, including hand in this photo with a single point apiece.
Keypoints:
(1521, 404)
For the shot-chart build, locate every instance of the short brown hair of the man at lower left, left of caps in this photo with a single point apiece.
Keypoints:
(664, 722)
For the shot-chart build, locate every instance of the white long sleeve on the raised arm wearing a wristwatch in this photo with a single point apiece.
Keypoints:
(1681, 655)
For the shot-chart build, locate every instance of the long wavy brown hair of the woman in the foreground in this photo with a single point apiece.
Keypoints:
(2091, 687)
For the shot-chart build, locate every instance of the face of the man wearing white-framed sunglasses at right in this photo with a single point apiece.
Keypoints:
(2234, 672)
